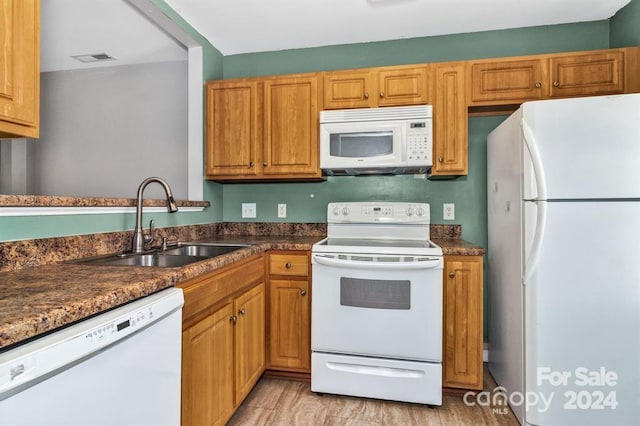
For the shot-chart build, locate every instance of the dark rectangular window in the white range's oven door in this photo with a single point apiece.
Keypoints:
(375, 294)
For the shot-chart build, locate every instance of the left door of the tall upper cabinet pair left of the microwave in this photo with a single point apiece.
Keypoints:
(233, 128)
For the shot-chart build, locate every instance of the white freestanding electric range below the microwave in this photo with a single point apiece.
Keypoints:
(376, 328)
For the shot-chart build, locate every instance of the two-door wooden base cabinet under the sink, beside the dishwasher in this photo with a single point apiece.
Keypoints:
(223, 341)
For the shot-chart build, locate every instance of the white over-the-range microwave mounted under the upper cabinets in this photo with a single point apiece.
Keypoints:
(394, 140)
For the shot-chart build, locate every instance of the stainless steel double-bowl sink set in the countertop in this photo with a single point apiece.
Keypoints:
(175, 256)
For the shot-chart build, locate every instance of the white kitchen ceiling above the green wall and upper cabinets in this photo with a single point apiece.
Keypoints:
(243, 26)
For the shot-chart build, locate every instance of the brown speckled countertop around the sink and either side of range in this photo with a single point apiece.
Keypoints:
(37, 300)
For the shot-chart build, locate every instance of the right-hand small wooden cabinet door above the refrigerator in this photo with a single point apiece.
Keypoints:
(584, 75)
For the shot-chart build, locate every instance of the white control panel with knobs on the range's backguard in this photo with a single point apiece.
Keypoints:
(368, 212)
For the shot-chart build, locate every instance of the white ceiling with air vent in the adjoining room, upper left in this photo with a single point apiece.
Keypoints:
(79, 27)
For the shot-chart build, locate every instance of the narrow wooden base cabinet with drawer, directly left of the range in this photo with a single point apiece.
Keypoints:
(289, 318)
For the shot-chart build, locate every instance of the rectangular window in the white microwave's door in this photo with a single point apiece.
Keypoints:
(361, 144)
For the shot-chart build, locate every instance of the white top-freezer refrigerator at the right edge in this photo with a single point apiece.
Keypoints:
(563, 189)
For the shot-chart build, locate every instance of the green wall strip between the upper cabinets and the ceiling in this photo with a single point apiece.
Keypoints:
(488, 44)
